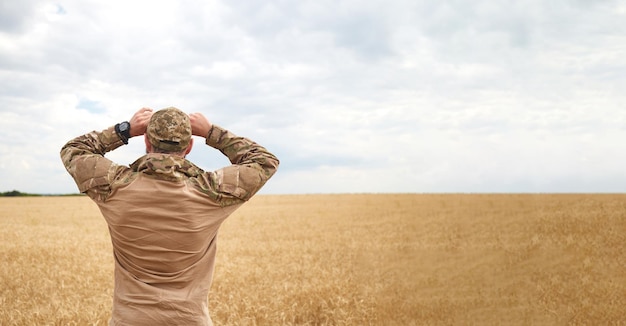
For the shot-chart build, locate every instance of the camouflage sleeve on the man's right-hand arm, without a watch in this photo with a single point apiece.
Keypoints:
(252, 165)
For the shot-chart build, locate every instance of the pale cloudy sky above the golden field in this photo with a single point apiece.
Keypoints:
(368, 96)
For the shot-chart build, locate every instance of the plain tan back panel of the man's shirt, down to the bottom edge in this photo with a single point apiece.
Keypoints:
(163, 234)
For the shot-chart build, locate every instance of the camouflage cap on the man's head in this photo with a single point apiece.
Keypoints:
(169, 130)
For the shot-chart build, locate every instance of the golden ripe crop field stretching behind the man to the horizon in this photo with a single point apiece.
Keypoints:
(411, 259)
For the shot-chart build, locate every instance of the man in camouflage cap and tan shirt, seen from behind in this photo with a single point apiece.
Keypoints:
(164, 212)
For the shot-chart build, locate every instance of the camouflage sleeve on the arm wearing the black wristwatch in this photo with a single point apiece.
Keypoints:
(84, 159)
